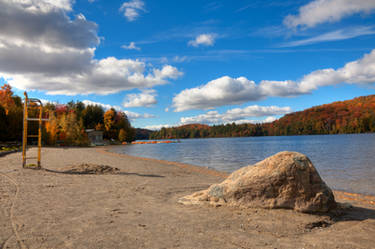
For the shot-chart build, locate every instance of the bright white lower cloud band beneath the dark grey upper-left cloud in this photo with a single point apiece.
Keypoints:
(105, 76)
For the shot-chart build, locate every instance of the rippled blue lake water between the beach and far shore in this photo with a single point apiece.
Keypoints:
(345, 162)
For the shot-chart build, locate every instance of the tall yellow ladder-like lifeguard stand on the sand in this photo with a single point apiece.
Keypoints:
(35, 104)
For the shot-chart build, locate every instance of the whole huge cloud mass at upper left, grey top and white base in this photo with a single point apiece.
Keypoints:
(42, 48)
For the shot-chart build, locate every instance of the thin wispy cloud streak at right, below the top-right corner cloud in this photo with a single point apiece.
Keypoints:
(336, 35)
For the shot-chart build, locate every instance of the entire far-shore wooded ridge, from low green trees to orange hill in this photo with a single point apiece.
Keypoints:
(350, 116)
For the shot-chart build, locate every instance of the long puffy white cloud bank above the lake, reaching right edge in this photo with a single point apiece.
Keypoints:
(230, 91)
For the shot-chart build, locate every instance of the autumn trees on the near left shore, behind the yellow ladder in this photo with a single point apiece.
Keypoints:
(67, 123)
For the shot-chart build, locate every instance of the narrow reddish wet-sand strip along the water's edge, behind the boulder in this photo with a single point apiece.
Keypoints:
(358, 198)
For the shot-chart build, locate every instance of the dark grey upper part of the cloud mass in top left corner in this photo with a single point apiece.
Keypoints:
(45, 23)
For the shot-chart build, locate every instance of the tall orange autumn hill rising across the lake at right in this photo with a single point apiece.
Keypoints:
(350, 116)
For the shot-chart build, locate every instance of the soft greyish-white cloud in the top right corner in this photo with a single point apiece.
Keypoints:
(321, 11)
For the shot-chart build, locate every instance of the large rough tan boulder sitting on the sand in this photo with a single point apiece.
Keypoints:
(285, 180)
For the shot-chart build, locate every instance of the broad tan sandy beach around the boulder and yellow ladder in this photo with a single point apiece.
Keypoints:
(136, 207)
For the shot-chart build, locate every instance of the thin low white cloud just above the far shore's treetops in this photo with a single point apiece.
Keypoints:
(237, 115)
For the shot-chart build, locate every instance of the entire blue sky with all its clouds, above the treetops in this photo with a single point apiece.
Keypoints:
(197, 61)
